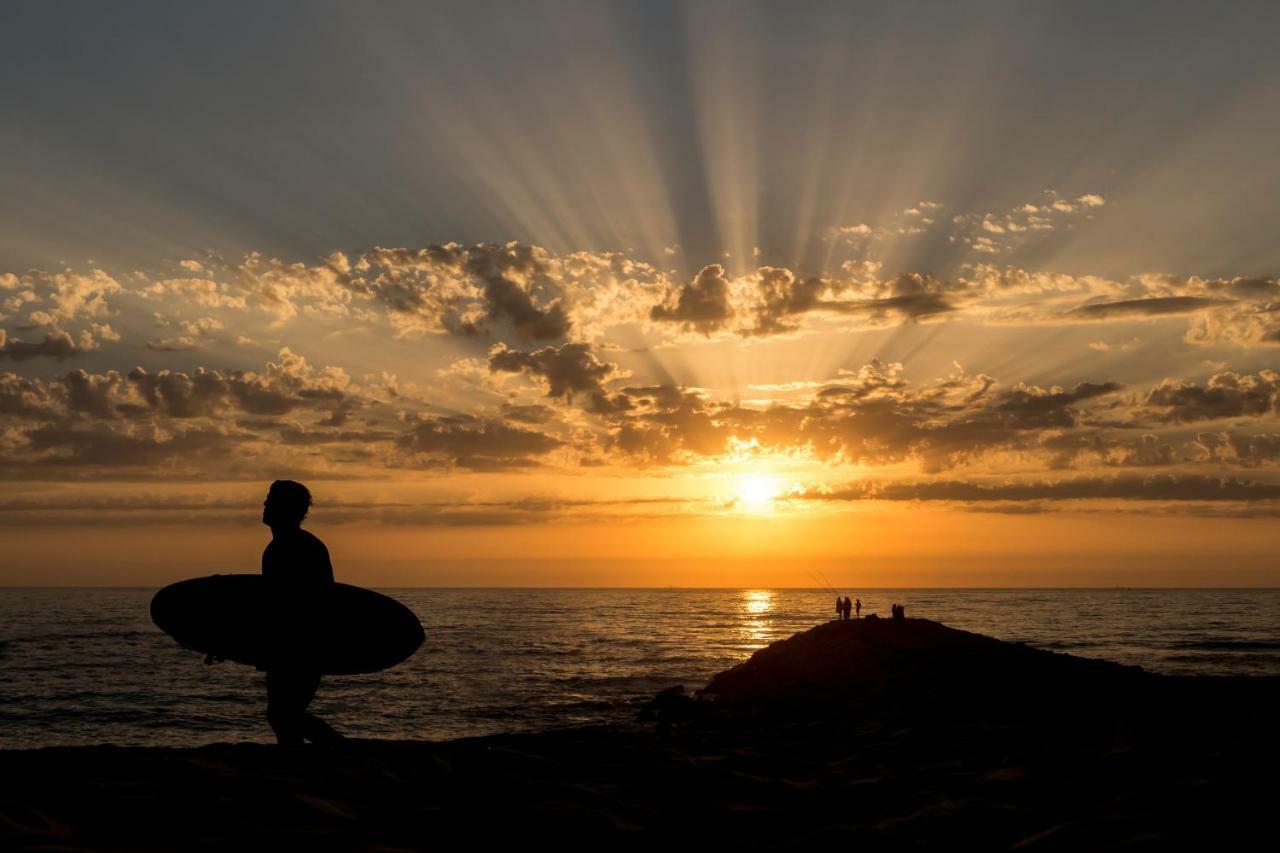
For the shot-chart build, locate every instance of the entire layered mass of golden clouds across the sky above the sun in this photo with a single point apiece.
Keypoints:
(538, 344)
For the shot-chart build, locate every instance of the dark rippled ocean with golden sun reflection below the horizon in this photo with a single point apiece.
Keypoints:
(86, 667)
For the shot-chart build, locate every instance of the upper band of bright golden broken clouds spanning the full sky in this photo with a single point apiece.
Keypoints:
(525, 297)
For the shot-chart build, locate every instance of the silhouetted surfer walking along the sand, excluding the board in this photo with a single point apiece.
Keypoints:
(298, 564)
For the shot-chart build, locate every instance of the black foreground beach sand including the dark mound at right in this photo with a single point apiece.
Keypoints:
(860, 736)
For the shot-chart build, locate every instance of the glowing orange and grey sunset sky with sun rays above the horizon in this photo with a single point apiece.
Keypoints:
(644, 294)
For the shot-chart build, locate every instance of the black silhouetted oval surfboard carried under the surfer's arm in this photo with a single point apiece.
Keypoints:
(333, 630)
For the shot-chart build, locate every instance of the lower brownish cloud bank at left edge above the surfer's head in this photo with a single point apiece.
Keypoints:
(168, 422)
